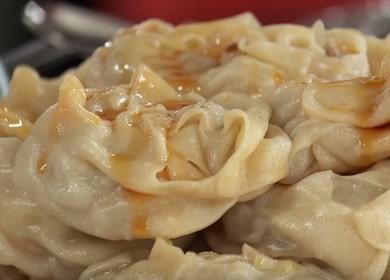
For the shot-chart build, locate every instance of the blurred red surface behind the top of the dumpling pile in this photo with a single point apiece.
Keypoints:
(177, 11)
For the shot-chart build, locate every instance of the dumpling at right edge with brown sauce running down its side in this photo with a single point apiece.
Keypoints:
(342, 126)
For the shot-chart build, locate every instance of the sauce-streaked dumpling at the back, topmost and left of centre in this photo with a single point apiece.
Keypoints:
(179, 54)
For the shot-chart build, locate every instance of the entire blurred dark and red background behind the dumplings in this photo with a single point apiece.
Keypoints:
(55, 35)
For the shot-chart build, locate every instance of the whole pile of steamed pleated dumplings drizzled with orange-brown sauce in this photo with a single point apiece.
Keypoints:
(216, 150)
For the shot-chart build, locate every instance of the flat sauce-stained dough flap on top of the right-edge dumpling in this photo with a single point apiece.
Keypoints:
(361, 102)
